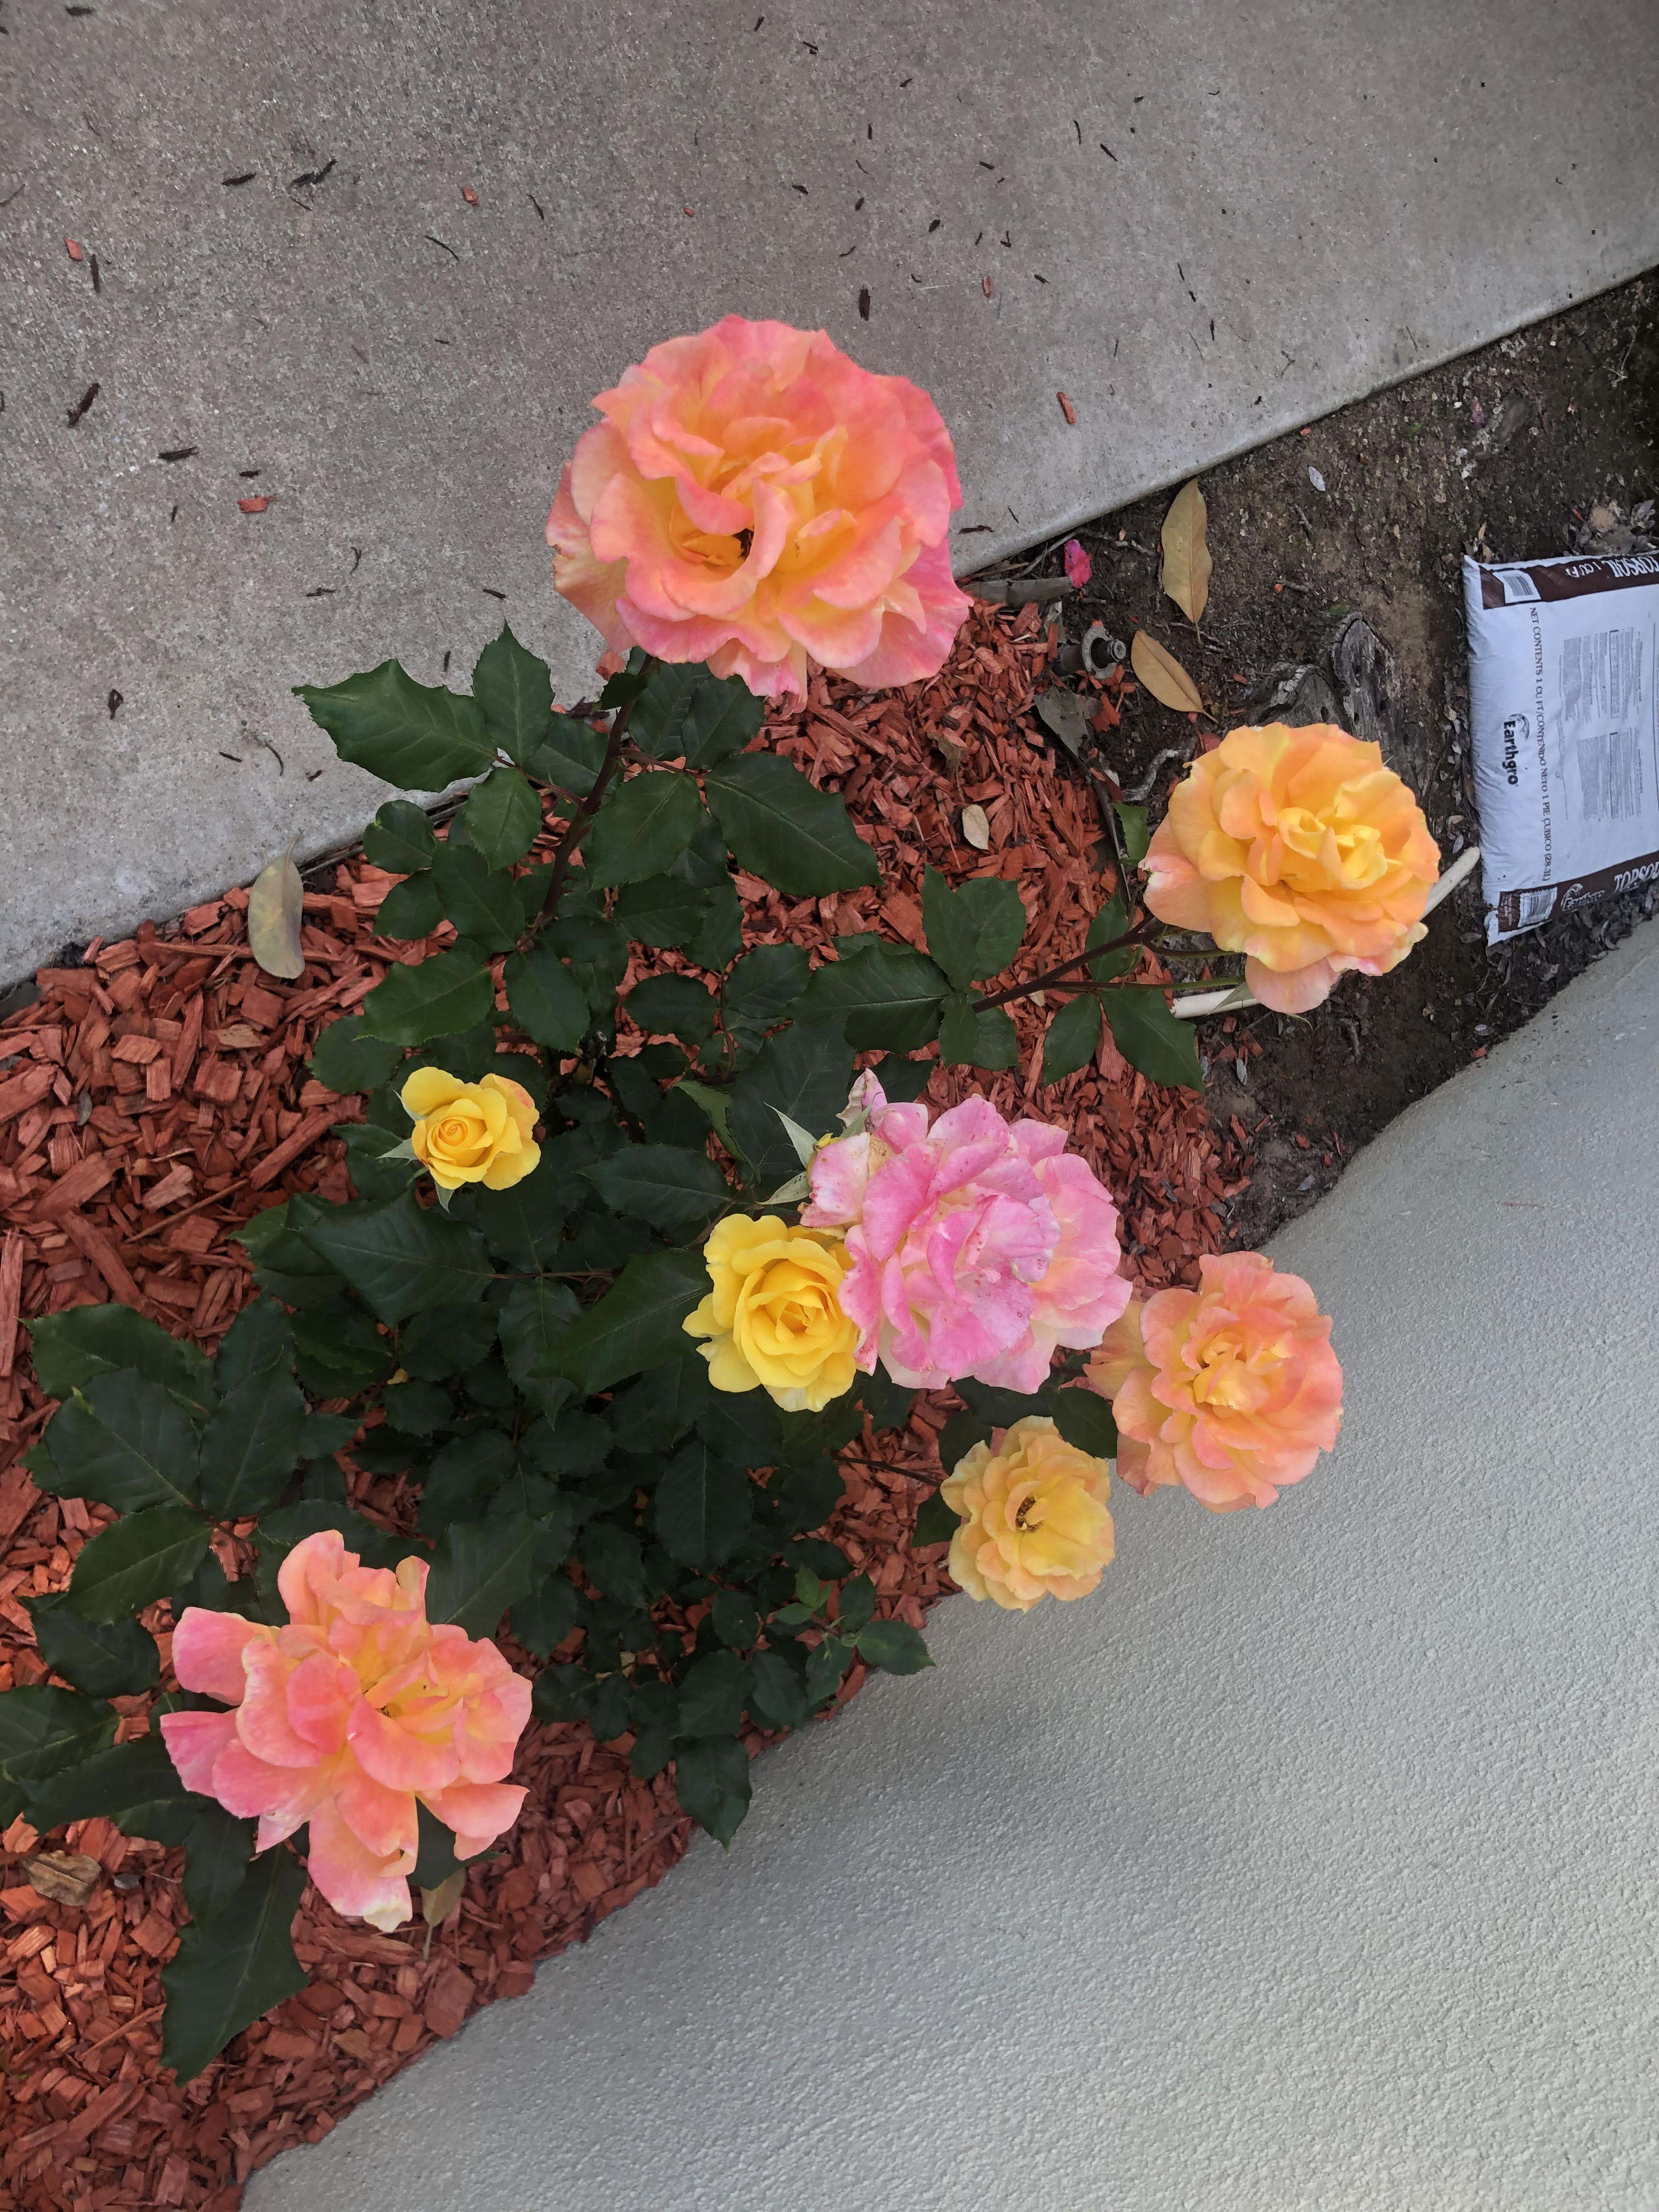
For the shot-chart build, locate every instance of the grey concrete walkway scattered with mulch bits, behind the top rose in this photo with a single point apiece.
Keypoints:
(282, 282)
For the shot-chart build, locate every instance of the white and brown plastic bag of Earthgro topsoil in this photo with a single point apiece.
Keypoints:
(1565, 731)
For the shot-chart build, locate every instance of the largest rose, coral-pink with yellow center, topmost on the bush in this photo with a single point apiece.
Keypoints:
(755, 499)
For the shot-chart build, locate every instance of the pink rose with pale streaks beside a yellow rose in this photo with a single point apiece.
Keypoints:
(977, 1244)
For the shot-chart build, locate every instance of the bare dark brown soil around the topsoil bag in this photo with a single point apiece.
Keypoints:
(1503, 455)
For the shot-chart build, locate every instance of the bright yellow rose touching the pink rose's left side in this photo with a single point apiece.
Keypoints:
(775, 1313)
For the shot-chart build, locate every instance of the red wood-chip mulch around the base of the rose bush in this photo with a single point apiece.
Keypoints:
(152, 1100)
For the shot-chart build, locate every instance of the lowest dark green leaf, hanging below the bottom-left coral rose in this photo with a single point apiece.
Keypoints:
(238, 1968)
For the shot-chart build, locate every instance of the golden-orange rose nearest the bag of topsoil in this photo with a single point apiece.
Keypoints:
(1304, 853)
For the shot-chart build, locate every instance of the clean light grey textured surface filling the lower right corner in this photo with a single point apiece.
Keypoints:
(1308, 1868)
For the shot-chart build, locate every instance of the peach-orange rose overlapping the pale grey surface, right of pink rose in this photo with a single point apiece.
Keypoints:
(1229, 1388)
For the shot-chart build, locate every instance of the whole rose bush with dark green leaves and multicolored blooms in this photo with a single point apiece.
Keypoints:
(567, 1308)
